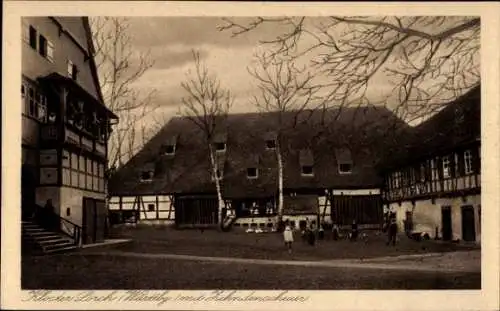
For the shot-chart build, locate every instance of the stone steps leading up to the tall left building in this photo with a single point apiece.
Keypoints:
(37, 240)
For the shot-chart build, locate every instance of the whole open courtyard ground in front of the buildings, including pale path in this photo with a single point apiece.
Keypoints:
(169, 259)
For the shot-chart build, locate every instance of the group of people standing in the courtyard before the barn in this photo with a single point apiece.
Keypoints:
(309, 235)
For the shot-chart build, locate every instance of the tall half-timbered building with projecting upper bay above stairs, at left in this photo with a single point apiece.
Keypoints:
(65, 126)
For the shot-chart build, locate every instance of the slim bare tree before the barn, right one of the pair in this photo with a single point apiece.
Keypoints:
(284, 90)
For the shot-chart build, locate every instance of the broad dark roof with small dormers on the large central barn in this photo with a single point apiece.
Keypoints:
(310, 134)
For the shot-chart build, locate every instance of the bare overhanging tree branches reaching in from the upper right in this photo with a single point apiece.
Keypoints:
(426, 60)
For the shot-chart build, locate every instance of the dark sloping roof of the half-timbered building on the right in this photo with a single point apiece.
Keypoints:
(457, 124)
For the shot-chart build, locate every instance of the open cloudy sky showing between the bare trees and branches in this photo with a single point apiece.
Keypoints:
(171, 40)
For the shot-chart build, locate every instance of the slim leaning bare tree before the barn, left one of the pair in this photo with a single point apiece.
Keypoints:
(207, 105)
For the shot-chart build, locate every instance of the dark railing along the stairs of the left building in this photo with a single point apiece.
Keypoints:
(49, 220)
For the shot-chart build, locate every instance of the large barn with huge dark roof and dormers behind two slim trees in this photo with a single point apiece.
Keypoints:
(330, 169)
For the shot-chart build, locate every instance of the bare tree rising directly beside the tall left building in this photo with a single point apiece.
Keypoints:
(120, 67)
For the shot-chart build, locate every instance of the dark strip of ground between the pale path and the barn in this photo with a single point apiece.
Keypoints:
(270, 245)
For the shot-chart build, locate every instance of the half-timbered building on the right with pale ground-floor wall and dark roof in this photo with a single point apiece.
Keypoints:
(435, 187)
